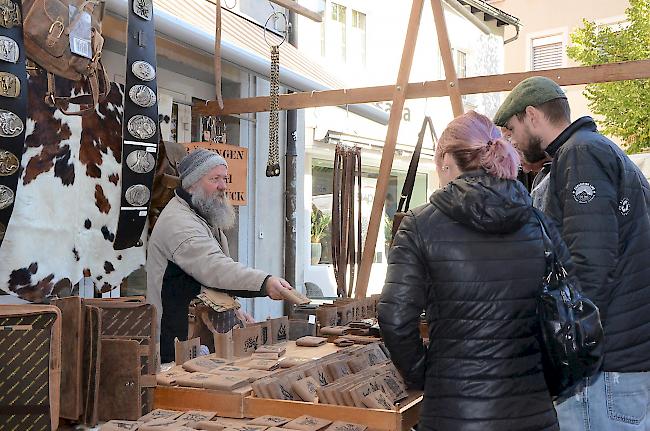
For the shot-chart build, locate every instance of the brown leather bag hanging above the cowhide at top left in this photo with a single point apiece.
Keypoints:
(47, 29)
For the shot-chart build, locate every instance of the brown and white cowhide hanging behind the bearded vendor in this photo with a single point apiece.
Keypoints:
(68, 199)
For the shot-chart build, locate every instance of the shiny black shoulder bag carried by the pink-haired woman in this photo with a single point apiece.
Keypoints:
(572, 346)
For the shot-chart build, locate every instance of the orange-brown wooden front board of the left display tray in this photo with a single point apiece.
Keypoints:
(226, 404)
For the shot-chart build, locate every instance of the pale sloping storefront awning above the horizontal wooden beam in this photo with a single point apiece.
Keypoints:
(192, 22)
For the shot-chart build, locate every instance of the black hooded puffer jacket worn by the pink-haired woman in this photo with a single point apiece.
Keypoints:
(473, 259)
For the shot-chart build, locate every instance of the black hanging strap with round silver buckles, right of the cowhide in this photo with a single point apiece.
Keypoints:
(140, 132)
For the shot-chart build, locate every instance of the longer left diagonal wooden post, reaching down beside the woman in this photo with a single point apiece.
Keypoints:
(388, 152)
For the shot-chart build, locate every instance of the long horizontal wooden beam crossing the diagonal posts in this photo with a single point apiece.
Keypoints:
(623, 71)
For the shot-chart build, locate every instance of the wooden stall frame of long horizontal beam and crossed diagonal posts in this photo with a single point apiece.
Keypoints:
(403, 90)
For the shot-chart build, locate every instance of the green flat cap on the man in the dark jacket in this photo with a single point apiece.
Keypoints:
(530, 92)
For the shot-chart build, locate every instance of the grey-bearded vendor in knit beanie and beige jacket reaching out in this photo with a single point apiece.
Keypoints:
(188, 252)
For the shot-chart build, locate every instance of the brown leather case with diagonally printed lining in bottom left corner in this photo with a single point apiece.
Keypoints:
(30, 354)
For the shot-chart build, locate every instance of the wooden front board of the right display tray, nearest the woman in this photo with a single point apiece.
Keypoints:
(377, 420)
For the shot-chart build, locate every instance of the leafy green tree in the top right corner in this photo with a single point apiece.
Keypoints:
(625, 105)
